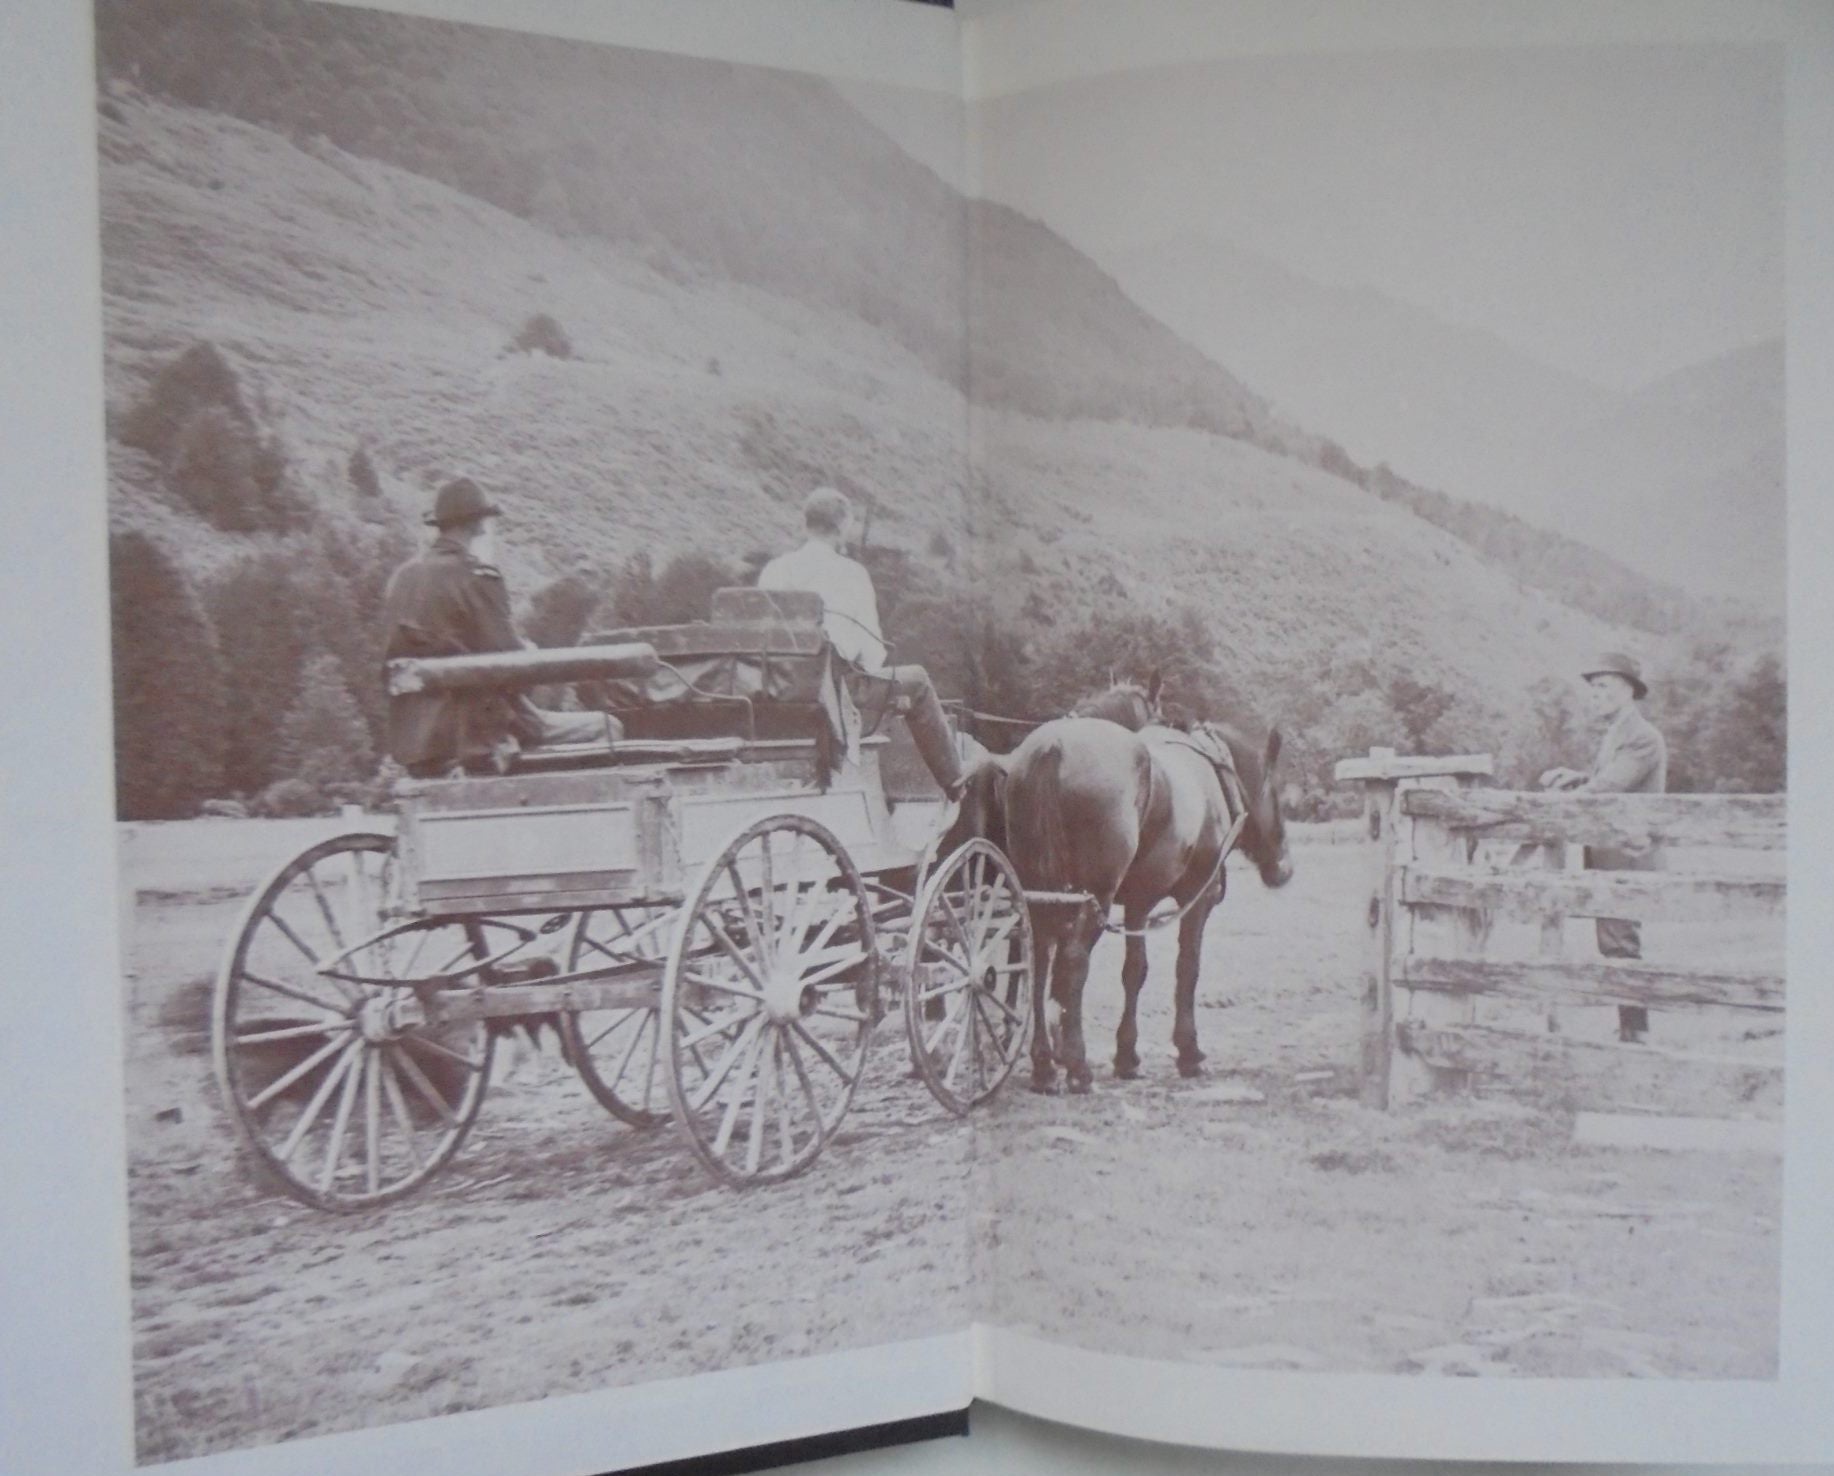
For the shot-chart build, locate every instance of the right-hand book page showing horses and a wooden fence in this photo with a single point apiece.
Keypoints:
(1406, 390)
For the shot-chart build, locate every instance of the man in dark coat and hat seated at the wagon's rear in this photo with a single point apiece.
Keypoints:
(452, 602)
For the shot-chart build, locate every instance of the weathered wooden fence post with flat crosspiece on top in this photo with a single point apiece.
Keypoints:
(1386, 931)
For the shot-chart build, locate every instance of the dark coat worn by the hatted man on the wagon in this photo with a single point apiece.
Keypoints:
(447, 604)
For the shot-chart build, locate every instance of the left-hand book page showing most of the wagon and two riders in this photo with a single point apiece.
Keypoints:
(450, 1123)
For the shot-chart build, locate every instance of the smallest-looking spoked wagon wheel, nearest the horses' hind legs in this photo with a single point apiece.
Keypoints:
(967, 976)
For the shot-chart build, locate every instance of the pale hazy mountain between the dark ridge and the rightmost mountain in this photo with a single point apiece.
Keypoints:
(1442, 404)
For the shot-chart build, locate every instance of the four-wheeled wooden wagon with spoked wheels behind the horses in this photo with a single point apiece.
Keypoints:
(714, 912)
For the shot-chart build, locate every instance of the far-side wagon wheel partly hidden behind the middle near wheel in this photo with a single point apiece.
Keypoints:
(617, 1052)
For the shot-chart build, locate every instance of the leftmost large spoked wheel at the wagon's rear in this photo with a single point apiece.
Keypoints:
(346, 1097)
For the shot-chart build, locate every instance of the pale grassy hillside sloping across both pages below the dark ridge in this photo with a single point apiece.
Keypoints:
(360, 305)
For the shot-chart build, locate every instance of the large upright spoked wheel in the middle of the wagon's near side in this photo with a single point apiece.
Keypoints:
(769, 1000)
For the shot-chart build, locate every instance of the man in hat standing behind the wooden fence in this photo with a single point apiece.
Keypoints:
(1633, 760)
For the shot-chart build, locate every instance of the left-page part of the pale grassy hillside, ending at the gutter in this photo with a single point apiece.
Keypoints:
(373, 307)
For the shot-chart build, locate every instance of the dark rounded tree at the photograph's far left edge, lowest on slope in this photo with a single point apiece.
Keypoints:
(168, 687)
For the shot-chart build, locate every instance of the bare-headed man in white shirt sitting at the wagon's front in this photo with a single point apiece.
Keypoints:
(850, 617)
